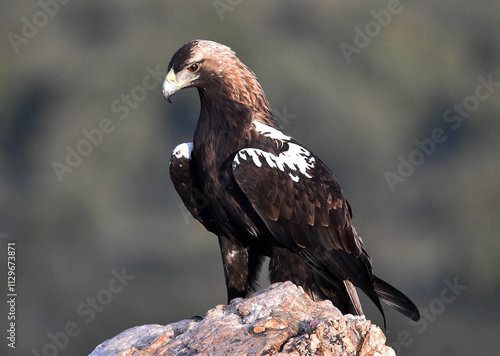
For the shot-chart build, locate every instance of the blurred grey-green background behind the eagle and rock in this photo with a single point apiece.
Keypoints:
(359, 101)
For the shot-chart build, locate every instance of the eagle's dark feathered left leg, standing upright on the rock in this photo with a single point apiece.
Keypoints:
(241, 267)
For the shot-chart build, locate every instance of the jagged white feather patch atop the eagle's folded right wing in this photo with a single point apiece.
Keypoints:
(296, 161)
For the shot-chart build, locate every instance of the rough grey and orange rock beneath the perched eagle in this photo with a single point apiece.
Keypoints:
(280, 320)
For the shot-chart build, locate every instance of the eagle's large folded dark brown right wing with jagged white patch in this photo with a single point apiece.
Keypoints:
(303, 206)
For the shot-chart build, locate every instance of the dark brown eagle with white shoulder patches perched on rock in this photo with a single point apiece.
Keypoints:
(263, 193)
